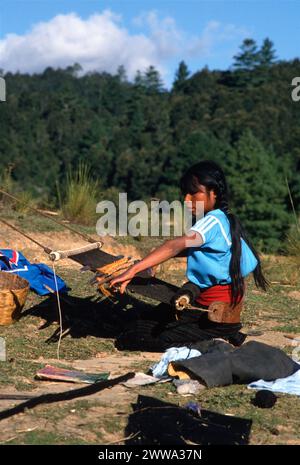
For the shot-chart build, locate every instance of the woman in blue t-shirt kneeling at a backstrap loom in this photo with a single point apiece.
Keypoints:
(219, 257)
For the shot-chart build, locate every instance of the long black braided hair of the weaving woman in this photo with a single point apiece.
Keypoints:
(211, 175)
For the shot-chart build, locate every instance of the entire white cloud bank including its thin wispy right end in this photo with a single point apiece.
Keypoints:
(102, 43)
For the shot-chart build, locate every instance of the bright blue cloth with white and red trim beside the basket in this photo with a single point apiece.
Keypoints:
(39, 276)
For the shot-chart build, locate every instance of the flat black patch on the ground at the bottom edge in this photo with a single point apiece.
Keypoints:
(159, 423)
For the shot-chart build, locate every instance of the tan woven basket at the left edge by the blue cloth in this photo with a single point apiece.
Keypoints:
(13, 293)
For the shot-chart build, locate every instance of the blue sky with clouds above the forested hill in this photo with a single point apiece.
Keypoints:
(103, 34)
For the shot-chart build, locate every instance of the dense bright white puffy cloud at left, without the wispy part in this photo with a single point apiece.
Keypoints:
(97, 43)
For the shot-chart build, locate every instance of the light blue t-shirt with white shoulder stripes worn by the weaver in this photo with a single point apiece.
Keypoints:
(208, 265)
